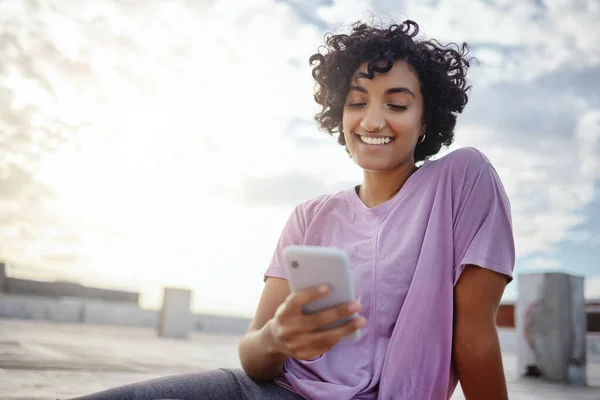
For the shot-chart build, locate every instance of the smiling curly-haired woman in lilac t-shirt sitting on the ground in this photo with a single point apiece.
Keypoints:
(431, 246)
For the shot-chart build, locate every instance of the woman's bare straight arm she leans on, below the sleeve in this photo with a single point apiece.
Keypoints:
(476, 347)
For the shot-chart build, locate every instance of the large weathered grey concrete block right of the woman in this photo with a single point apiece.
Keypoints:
(551, 327)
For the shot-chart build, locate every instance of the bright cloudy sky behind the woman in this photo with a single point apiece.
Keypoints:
(167, 144)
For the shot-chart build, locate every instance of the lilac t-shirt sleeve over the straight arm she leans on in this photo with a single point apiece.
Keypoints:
(482, 229)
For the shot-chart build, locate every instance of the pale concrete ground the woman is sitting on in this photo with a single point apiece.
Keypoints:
(46, 360)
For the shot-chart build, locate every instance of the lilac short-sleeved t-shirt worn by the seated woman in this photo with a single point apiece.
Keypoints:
(406, 254)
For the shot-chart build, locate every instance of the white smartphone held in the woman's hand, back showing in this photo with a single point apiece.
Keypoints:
(314, 265)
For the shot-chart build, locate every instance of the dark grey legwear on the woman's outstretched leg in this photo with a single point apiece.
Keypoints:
(219, 384)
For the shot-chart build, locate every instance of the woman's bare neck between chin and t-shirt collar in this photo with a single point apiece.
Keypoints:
(380, 186)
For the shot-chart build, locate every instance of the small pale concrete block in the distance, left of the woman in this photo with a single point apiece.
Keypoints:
(175, 318)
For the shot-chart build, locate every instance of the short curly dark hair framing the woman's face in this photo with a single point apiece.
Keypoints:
(441, 71)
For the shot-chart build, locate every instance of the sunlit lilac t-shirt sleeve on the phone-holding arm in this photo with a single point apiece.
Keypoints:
(292, 234)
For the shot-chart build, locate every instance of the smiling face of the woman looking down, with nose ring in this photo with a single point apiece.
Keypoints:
(383, 118)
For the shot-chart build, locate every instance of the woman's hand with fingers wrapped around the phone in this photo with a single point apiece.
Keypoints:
(297, 334)
